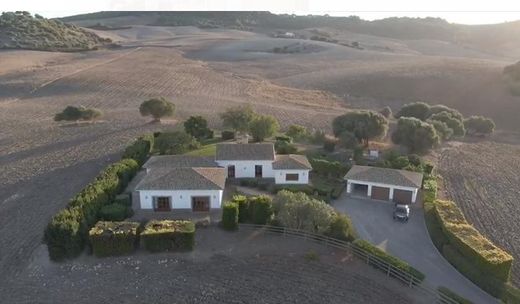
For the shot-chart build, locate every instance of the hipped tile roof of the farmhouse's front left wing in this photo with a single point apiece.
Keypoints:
(184, 179)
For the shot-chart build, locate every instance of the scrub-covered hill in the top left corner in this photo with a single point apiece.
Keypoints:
(20, 30)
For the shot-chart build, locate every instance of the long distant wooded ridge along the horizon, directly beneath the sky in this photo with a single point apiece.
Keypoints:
(500, 39)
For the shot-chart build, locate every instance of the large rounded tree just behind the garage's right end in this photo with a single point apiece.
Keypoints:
(416, 135)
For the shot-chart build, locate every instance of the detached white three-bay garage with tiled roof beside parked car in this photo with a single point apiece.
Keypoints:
(386, 184)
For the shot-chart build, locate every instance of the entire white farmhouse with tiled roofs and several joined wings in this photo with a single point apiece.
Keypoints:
(197, 183)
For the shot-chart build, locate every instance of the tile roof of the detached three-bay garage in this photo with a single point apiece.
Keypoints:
(385, 176)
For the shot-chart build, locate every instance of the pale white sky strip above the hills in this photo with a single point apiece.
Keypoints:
(456, 11)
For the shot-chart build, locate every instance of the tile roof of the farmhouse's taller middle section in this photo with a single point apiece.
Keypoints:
(263, 151)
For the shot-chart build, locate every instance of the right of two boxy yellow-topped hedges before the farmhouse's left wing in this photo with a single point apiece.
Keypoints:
(168, 235)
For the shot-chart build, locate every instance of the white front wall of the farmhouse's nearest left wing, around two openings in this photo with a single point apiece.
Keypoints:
(181, 199)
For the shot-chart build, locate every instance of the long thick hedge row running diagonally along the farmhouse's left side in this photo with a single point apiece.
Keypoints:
(66, 234)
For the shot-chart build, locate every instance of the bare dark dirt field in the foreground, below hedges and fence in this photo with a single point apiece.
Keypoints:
(241, 267)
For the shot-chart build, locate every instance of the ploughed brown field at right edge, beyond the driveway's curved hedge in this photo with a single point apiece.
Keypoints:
(483, 179)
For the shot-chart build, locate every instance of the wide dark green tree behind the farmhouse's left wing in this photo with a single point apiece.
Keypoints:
(175, 143)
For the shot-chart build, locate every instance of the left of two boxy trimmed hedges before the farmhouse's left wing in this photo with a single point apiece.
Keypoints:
(114, 238)
